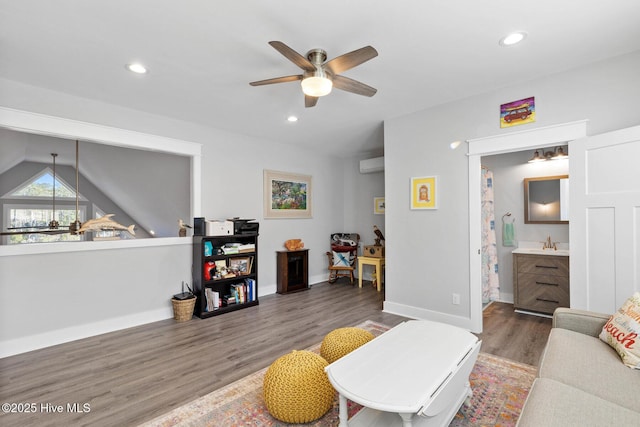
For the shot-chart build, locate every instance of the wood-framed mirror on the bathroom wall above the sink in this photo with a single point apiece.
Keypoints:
(546, 200)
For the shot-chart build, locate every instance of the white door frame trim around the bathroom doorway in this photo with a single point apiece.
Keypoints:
(532, 139)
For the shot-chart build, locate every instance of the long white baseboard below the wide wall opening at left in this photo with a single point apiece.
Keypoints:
(47, 339)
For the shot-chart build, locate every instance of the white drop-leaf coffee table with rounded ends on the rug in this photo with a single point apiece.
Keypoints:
(414, 374)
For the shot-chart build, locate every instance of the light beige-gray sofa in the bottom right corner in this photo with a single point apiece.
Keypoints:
(581, 379)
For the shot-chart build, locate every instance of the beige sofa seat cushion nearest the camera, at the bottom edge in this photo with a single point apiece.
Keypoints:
(553, 404)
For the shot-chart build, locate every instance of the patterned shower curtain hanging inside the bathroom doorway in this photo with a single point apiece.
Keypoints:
(490, 282)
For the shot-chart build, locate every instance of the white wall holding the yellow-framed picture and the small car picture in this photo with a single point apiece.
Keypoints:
(427, 251)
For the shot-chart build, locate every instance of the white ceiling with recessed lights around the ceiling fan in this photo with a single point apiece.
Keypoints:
(203, 54)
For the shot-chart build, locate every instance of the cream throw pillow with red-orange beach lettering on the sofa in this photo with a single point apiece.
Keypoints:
(622, 329)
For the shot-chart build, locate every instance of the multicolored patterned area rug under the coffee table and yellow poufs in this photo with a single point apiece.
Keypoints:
(500, 387)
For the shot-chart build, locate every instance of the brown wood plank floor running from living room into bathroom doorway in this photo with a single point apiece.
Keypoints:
(130, 376)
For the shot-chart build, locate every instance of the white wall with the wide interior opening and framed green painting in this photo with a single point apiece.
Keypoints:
(49, 298)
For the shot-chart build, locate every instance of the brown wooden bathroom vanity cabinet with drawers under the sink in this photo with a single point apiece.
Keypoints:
(540, 282)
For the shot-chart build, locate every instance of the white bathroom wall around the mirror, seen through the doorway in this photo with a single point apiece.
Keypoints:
(509, 171)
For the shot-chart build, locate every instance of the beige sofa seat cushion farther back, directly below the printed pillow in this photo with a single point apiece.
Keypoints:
(587, 363)
